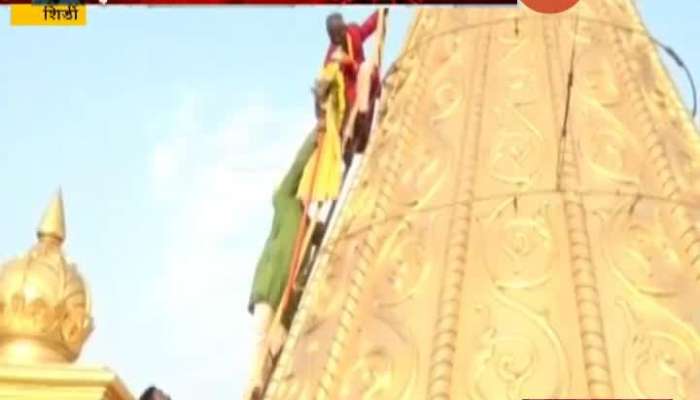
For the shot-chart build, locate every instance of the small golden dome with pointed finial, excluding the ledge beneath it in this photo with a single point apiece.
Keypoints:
(45, 311)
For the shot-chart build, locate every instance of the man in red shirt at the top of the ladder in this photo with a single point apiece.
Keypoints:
(350, 38)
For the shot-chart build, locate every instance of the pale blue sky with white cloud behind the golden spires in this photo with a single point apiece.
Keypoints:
(167, 129)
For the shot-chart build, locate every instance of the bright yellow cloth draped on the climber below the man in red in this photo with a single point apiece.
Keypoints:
(328, 152)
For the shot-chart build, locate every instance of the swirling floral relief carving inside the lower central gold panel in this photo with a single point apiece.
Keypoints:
(520, 255)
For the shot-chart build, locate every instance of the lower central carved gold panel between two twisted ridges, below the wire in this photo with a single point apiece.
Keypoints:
(518, 338)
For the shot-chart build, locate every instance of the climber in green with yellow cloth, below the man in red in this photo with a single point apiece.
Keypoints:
(316, 174)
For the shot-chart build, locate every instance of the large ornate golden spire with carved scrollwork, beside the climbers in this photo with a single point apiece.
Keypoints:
(486, 252)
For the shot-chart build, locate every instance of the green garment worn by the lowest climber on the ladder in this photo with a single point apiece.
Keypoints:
(272, 271)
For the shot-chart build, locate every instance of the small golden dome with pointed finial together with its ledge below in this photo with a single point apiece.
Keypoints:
(45, 319)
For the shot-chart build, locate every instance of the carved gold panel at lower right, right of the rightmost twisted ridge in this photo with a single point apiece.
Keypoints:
(649, 290)
